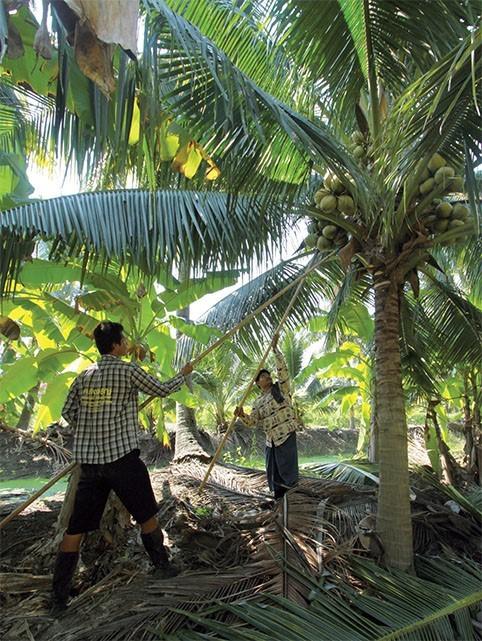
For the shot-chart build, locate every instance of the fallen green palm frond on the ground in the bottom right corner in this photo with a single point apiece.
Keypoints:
(434, 605)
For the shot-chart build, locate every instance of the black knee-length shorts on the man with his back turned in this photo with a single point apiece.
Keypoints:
(127, 477)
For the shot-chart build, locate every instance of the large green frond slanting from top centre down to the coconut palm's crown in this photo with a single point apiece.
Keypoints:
(237, 120)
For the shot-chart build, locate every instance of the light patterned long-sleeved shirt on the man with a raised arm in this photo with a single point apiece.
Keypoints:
(278, 420)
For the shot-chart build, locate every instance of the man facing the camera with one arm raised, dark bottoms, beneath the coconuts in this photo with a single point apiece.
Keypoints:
(273, 412)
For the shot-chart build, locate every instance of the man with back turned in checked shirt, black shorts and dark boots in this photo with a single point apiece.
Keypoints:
(102, 409)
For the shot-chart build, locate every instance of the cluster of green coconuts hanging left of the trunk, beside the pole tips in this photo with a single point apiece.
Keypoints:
(331, 197)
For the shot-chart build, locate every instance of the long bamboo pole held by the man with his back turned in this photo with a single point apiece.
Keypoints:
(195, 361)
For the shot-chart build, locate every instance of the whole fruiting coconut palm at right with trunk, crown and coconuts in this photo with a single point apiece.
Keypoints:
(275, 90)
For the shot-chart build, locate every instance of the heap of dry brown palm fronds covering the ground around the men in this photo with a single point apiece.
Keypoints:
(232, 543)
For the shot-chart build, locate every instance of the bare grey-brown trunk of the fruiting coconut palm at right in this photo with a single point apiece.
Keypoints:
(393, 519)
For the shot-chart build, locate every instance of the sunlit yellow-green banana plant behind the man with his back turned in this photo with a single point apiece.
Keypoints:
(56, 324)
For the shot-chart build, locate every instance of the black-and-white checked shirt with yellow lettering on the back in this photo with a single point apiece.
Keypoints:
(102, 408)
